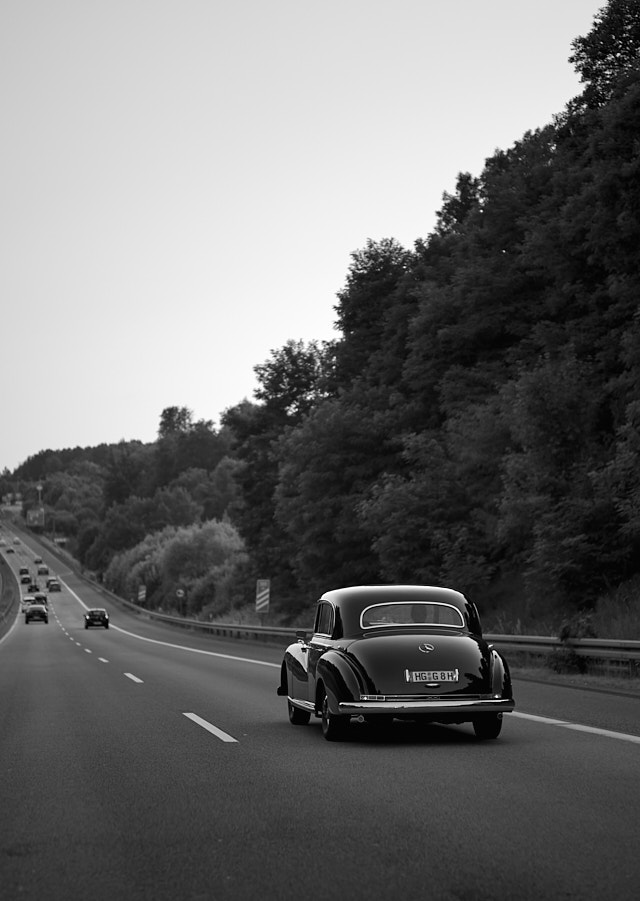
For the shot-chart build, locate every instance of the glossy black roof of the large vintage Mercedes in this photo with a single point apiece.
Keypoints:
(350, 602)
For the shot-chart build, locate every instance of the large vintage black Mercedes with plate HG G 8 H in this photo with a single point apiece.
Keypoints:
(396, 652)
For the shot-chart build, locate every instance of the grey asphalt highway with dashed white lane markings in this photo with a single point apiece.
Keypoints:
(142, 762)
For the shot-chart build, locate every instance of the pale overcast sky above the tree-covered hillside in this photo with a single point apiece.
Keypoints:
(183, 181)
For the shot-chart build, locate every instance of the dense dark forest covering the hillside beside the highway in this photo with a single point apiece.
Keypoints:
(476, 424)
